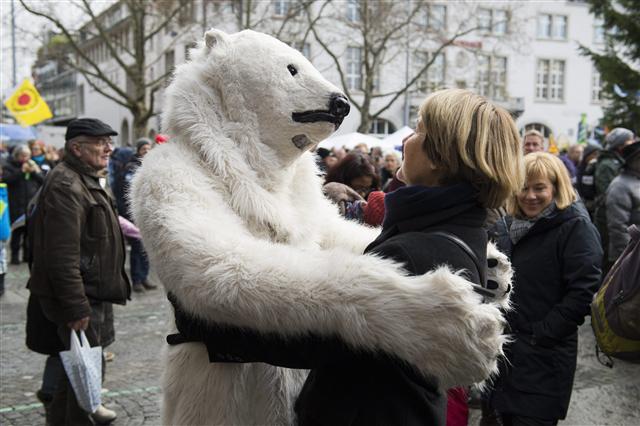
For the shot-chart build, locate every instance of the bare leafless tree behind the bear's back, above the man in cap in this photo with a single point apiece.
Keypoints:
(125, 40)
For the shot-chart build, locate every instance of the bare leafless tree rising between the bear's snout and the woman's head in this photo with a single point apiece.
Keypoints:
(370, 35)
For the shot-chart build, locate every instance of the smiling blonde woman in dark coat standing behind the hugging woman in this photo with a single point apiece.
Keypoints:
(556, 253)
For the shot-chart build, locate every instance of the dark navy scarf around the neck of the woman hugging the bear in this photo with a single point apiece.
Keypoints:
(413, 201)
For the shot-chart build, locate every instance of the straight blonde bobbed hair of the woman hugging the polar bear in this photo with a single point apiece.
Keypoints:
(470, 139)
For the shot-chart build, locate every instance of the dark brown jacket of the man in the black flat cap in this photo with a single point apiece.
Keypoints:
(78, 248)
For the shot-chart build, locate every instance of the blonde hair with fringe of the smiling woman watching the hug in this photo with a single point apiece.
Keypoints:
(545, 165)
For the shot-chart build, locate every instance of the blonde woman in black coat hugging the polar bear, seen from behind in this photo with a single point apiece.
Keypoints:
(464, 157)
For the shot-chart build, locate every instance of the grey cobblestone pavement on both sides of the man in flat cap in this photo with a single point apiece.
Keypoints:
(132, 380)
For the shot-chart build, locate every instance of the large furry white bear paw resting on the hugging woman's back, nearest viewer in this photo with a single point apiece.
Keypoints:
(448, 333)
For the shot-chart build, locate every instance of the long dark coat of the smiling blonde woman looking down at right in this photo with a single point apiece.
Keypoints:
(557, 271)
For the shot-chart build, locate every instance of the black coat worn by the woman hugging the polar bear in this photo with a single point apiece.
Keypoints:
(347, 387)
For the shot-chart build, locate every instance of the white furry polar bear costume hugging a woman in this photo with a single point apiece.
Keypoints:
(235, 224)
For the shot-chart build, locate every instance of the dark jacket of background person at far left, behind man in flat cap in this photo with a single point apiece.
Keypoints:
(21, 187)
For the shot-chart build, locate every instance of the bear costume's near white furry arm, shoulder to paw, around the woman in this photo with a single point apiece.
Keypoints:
(225, 275)
